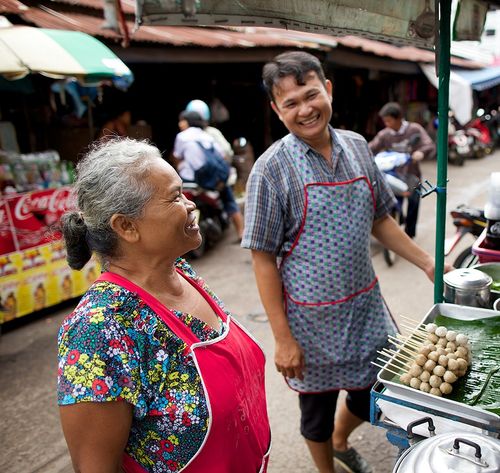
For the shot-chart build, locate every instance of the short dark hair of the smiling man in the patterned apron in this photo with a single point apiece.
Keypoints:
(293, 63)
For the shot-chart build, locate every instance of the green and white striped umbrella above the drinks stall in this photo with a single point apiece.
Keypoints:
(59, 54)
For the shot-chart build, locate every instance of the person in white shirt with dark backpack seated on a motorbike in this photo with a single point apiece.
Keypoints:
(190, 157)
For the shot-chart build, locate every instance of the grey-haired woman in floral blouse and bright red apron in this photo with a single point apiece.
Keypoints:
(154, 374)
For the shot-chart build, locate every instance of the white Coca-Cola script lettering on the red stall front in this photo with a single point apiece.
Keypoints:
(57, 201)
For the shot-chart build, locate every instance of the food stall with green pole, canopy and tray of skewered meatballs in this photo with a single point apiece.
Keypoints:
(475, 403)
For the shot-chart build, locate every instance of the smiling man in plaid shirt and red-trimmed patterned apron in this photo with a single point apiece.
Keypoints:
(313, 200)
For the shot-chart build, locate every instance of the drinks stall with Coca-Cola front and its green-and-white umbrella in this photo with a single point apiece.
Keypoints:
(36, 187)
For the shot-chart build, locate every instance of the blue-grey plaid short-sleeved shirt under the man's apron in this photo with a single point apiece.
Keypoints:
(275, 200)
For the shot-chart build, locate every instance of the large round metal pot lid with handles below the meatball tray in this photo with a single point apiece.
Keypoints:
(460, 452)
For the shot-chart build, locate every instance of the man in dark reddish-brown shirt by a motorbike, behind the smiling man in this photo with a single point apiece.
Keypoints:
(397, 136)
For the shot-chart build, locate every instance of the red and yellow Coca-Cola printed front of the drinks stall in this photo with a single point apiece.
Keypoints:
(33, 269)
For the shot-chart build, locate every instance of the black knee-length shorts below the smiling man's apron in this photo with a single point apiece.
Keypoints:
(318, 411)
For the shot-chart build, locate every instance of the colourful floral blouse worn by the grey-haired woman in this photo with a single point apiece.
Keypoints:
(113, 347)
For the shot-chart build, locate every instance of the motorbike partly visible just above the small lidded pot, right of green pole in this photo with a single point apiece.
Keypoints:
(467, 220)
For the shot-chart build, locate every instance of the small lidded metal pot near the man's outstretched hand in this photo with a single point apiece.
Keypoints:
(466, 286)
